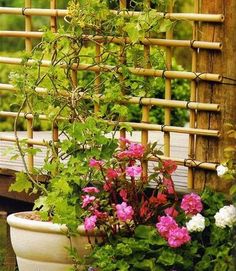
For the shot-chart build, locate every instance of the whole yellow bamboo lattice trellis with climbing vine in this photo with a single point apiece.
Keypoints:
(195, 76)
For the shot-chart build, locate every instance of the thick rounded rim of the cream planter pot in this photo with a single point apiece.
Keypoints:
(17, 221)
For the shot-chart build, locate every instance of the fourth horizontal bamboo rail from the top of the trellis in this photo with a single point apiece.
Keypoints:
(138, 100)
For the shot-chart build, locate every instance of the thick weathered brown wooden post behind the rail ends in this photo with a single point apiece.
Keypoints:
(209, 149)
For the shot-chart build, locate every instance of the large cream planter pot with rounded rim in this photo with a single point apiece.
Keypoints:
(41, 246)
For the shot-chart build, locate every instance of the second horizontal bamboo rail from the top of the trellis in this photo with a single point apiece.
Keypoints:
(121, 40)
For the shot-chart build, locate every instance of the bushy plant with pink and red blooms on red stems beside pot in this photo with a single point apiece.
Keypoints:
(116, 194)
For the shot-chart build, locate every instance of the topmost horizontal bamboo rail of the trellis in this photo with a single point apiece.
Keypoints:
(215, 18)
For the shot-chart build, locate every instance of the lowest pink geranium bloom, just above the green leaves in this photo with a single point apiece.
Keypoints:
(177, 237)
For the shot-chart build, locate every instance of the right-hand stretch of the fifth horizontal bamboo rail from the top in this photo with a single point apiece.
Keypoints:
(166, 128)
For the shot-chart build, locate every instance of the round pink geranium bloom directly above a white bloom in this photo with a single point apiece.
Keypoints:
(191, 204)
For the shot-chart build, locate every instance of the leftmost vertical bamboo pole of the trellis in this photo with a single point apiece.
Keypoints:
(28, 48)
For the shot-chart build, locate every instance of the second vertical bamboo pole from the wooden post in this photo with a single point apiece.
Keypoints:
(169, 35)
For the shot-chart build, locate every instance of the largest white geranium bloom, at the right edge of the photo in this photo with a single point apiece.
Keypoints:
(226, 216)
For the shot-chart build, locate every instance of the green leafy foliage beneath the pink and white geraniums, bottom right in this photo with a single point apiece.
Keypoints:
(147, 250)
